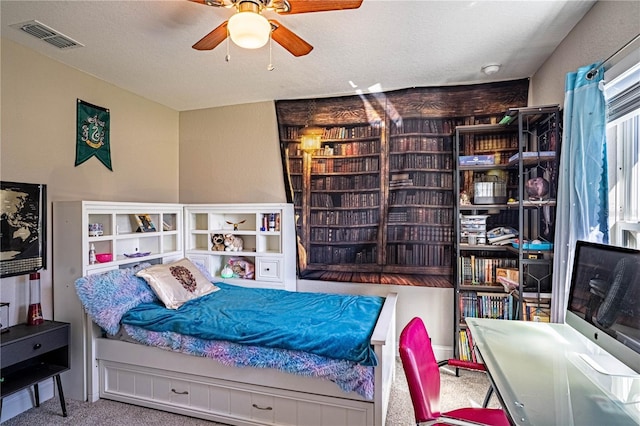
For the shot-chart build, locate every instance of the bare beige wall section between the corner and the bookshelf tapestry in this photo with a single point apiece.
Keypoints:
(231, 155)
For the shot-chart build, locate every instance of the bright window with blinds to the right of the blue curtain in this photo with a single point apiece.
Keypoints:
(622, 94)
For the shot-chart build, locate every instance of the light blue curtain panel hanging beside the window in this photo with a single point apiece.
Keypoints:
(582, 203)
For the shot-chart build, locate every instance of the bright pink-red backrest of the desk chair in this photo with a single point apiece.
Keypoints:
(421, 369)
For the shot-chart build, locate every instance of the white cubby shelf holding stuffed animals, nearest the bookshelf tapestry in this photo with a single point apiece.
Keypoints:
(273, 252)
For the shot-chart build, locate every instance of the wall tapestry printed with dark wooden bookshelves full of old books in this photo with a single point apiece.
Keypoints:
(375, 203)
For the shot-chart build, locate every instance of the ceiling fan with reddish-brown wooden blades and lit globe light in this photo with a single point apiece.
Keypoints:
(250, 29)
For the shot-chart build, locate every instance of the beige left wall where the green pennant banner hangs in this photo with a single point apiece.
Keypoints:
(38, 145)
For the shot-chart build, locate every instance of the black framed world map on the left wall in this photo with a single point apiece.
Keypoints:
(23, 234)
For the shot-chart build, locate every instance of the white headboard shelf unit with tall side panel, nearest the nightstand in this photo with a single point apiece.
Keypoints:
(71, 243)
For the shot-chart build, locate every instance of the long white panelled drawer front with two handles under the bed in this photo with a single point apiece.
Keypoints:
(227, 401)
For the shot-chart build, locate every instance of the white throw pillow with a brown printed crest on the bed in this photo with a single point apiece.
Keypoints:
(178, 282)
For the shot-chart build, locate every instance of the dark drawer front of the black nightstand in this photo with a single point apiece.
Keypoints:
(33, 346)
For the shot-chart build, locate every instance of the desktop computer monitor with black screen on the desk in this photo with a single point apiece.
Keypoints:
(604, 299)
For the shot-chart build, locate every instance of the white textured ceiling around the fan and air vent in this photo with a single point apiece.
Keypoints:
(145, 46)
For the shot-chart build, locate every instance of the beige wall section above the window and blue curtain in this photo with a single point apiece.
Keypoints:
(608, 26)
